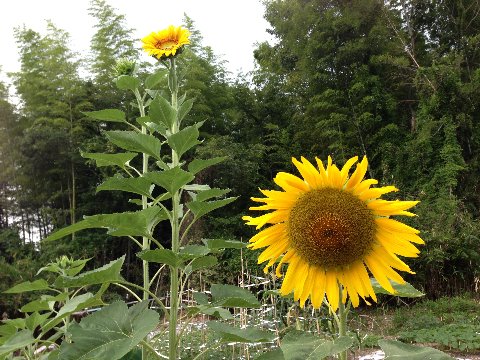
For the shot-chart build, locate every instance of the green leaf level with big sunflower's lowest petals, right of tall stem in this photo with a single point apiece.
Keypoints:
(233, 296)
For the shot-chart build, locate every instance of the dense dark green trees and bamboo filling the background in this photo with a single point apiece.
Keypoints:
(398, 81)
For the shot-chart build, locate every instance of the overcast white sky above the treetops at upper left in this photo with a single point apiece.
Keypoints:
(230, 27)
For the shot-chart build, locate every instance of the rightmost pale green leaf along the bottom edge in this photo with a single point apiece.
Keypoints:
(396, 350)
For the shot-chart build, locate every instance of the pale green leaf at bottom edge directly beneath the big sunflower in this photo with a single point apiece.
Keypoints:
(300, 345)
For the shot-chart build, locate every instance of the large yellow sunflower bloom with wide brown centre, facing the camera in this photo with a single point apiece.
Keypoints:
(330, 228)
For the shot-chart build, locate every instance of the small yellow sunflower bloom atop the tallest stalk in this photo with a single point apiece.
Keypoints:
(166, 42)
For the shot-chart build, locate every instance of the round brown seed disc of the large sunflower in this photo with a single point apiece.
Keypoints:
(331, 228)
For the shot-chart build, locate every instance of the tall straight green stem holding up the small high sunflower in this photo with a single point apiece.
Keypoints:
(174, 278)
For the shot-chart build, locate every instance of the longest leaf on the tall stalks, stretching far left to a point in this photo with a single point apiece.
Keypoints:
(139, 223)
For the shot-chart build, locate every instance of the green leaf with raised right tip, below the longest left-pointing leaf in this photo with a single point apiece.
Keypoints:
(107, 273)
